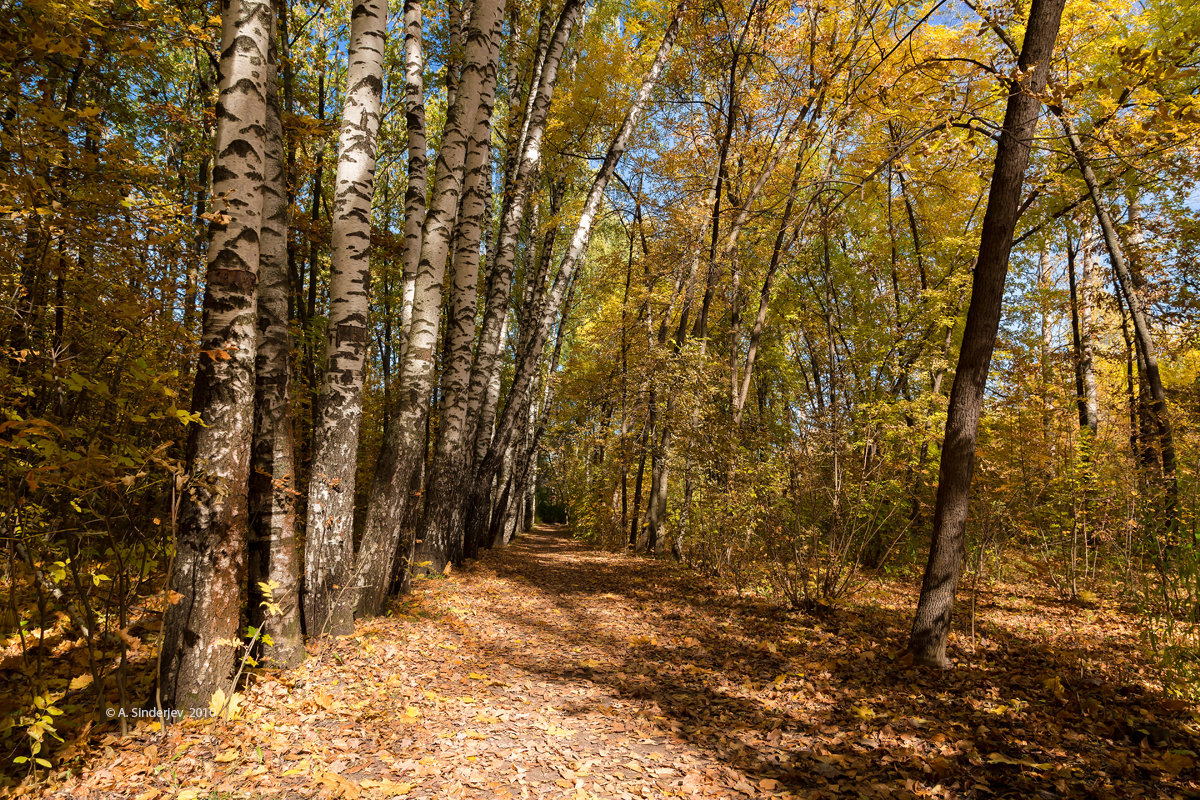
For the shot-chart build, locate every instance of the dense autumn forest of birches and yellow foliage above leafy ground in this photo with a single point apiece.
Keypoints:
(299, 302)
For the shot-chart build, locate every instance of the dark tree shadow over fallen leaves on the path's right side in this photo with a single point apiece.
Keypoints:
(819, 705)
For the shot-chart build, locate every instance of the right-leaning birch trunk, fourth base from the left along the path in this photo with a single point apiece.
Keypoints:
(404, 447)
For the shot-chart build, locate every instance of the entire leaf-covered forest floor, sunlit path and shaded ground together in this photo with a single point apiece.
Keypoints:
(549, 670)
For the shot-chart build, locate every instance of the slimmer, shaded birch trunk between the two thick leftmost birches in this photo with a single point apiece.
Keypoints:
(273, 483)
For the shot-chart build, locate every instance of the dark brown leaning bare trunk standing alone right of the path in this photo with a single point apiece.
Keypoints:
(932, 625)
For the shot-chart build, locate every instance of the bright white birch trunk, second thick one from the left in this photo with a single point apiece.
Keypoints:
(329, 552)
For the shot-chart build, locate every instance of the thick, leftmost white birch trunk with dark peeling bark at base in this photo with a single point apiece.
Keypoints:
(211, 542)
